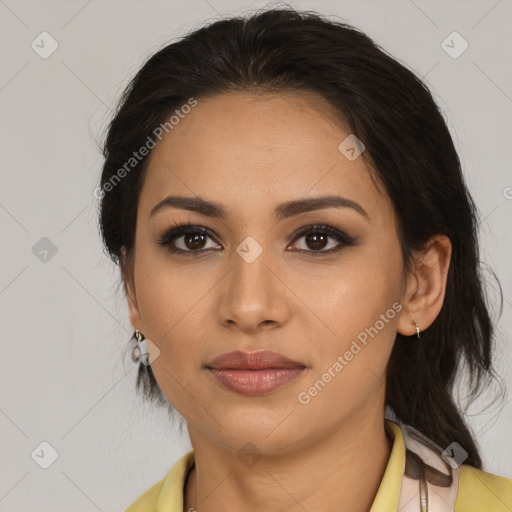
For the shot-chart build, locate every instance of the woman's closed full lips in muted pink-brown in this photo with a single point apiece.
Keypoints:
(256, 373)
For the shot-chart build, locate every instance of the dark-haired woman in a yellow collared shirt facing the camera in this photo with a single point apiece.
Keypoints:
(298, 251)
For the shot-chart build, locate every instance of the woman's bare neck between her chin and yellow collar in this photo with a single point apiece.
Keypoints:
(342, 471)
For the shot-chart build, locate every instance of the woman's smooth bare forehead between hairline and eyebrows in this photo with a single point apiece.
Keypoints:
(248, 150)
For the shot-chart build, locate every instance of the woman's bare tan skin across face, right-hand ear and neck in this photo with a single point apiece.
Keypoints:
(250, 153)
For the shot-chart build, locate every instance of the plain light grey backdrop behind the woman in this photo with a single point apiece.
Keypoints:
(65, 377)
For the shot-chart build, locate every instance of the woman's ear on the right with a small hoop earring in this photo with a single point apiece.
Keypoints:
(426, 286)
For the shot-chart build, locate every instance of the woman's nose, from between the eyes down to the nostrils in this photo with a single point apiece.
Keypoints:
(254, 296)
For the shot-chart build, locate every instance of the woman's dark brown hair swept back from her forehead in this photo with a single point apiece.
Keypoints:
(407, 144)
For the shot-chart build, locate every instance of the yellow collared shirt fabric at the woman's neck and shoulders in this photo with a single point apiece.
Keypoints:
(478, 491)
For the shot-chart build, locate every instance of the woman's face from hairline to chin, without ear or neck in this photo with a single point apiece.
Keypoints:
(317, 283)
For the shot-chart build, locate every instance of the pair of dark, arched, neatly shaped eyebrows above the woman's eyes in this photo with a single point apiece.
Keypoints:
(282, 211)
